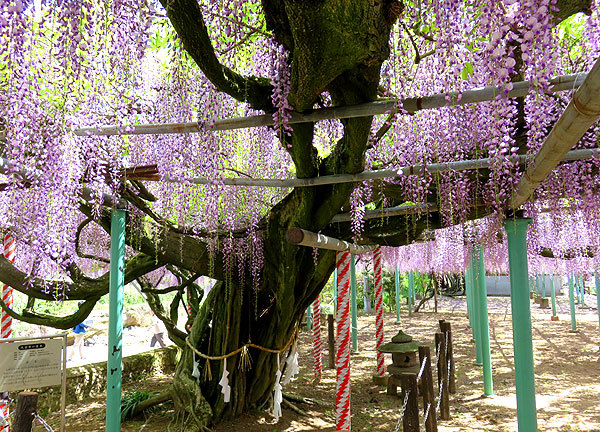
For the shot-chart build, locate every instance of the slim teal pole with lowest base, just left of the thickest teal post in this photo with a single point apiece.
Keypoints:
(484, 327)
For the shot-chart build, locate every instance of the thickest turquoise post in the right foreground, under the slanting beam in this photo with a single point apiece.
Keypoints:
(516, 232)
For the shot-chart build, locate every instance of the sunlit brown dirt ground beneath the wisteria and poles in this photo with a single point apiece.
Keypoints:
(567, 369)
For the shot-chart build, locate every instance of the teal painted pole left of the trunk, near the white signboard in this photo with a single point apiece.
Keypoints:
(115, 321)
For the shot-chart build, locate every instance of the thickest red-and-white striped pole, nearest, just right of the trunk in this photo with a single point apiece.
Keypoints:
(342, 402)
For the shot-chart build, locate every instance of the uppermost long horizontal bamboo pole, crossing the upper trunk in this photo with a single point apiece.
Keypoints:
(411, 105)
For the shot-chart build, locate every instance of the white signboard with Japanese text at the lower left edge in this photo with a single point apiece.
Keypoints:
(30, 364)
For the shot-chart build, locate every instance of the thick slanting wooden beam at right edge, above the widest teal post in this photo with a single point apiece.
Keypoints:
(581, 113)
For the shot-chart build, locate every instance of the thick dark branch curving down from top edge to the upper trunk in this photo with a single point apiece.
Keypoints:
(186, 17)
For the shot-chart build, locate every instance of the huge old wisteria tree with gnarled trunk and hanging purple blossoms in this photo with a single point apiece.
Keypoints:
(133, 62)
